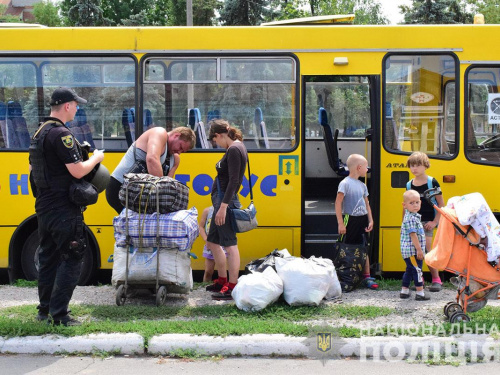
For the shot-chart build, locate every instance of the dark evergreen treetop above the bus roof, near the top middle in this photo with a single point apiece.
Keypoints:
(244, 12)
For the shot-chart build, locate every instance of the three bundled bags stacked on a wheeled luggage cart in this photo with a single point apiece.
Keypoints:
(153, 234)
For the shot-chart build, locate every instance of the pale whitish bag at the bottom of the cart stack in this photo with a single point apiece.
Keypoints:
(174, 268)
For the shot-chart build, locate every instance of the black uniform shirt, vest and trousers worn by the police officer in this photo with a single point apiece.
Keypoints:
(60, 224)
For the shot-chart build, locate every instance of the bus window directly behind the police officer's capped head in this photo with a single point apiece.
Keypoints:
(108, 83)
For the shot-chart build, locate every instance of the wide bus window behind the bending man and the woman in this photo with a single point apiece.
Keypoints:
(255, 94)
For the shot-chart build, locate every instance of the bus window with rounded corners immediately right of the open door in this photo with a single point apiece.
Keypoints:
(420, 104)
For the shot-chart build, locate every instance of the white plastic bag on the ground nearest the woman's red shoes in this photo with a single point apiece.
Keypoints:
(256, 291)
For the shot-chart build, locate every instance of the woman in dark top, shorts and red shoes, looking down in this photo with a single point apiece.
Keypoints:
(230, 171)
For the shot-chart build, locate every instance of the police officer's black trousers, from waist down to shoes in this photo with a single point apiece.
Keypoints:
(58, 273)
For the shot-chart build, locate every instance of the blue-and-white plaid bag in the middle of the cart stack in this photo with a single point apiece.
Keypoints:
(177, 230)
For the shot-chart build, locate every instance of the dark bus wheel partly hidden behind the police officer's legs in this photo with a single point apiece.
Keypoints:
(29, 261)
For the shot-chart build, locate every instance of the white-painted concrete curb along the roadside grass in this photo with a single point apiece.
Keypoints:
(376, 348)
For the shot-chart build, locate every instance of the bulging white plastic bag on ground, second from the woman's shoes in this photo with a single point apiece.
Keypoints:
(305, 282)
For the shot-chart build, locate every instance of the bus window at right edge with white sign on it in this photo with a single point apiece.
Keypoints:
(483, 115)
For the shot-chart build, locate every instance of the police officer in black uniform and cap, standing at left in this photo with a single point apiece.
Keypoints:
(56, 161)
